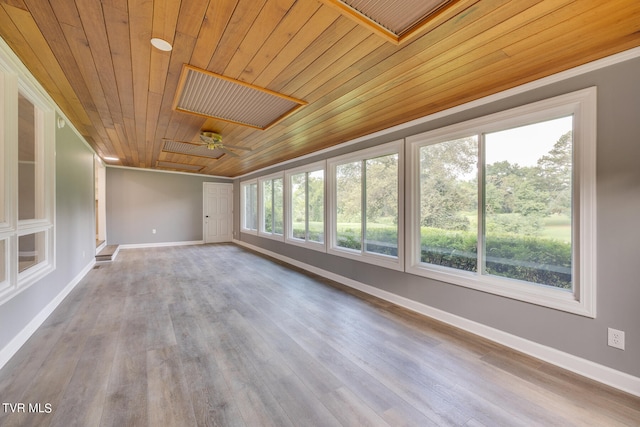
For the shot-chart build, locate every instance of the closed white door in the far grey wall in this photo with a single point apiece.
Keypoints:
(218, 212)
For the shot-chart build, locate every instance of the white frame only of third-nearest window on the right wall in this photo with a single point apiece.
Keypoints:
(314, 167)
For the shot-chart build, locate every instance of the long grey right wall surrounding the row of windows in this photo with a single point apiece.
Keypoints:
(618, 186)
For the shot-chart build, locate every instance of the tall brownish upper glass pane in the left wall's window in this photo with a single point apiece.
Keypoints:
(27, 160)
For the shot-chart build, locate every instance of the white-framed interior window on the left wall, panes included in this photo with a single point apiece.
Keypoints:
(26, 186)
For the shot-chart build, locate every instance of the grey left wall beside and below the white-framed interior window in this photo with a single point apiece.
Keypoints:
(75, 231)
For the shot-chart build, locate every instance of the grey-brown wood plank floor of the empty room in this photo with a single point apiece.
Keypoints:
(217, 335)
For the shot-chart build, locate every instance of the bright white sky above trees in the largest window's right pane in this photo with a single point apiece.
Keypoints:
(526, 144)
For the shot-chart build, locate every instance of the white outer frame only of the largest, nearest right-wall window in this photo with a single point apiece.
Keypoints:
(582, 105)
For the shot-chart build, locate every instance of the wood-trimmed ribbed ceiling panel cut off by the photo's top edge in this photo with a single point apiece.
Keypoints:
(396, 20)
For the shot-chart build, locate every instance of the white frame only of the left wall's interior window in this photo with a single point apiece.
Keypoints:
(12, 83)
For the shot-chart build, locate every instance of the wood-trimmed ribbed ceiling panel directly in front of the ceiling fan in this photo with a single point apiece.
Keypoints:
(211, 95)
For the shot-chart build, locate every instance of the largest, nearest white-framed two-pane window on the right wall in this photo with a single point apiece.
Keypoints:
(506, 203)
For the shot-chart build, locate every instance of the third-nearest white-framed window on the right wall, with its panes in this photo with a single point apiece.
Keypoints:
(305, 212)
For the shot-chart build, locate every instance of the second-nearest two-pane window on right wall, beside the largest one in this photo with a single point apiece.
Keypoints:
(366, 205)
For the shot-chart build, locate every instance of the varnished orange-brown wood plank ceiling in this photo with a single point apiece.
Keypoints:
(95, 59)
